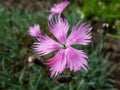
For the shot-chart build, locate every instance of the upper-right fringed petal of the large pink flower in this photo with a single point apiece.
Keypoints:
(80, 34)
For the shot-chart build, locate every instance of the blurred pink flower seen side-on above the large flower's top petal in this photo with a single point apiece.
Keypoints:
(58, 8)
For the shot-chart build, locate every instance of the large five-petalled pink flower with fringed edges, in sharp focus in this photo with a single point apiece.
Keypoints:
(67, 56)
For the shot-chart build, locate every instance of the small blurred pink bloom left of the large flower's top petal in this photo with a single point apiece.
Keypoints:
(34, 31)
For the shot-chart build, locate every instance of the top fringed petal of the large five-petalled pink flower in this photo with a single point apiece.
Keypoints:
(59, 28)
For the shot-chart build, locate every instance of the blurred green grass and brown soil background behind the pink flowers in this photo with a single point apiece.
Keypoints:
(15, 45)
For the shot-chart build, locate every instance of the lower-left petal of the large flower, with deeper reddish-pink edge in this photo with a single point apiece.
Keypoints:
(57, 63)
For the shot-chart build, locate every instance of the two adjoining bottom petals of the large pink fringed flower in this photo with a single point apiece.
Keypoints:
(67, 58)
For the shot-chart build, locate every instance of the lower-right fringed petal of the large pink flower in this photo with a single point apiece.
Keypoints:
(76, 59)
